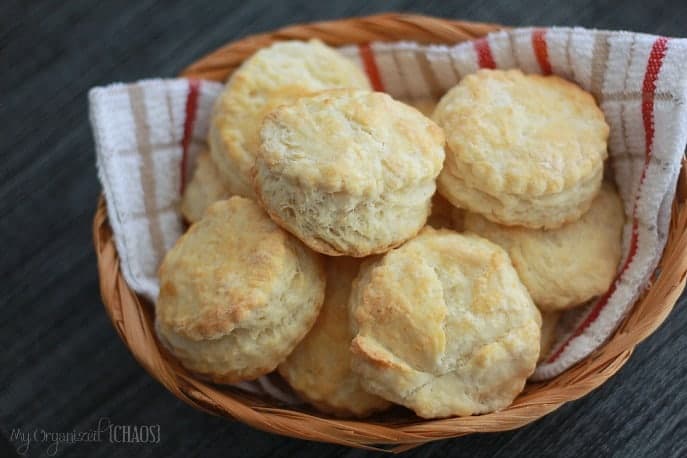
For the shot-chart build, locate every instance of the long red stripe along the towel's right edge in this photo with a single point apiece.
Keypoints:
(653, 68)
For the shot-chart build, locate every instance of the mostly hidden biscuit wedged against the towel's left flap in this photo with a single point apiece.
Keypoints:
(206, 186)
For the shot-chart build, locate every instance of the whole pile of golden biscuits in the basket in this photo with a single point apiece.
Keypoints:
(375, 256)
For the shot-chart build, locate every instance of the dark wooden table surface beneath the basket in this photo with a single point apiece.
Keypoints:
(63, 365)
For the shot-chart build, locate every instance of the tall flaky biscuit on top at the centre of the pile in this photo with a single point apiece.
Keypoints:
(348, 172)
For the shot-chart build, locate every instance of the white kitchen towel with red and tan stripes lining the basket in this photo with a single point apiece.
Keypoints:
(147, 134)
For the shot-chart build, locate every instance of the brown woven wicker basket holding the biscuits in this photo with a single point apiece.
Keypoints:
(133, 319)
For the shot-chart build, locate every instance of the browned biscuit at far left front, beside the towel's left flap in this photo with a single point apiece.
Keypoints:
(237, 293)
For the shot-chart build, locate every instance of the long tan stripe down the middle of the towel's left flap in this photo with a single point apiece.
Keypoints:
(147, 171)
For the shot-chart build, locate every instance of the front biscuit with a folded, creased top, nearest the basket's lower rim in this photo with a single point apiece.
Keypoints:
(444, 326)
